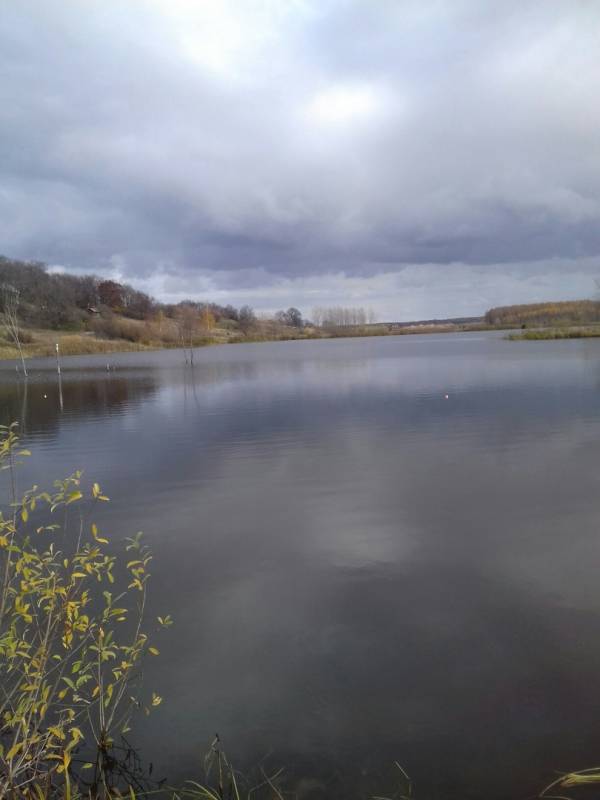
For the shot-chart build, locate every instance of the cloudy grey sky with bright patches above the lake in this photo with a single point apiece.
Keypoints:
(425, 158)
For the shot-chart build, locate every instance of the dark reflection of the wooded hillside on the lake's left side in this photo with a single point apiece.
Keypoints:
(37, 405)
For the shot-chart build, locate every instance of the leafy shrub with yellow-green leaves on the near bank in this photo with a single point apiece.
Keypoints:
(71, 641)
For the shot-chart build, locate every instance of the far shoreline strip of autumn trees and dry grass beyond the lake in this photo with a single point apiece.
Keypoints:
(87, 315)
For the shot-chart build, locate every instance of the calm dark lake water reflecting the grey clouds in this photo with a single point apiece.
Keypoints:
(360, 569)
